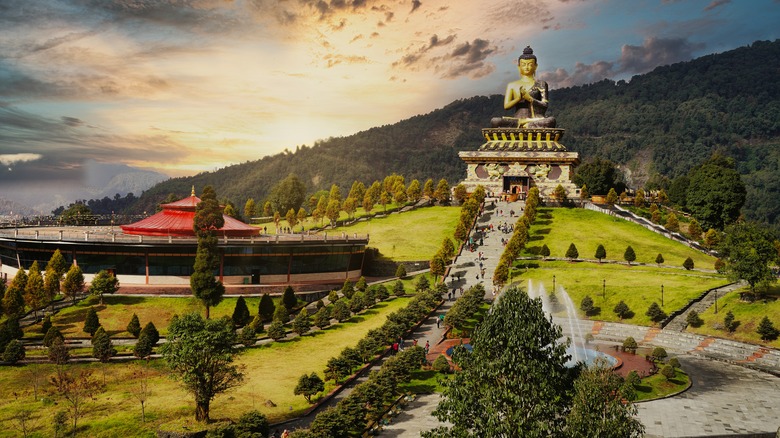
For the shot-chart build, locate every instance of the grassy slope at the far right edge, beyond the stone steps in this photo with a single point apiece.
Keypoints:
(748, 315)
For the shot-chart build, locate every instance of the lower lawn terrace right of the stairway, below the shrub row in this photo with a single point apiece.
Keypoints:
(638, 286)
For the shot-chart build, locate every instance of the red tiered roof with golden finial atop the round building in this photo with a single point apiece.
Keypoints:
(176, 219)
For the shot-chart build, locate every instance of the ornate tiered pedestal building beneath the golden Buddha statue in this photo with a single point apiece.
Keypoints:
(515, 159)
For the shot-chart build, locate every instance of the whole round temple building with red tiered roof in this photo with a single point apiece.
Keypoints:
(160, 250)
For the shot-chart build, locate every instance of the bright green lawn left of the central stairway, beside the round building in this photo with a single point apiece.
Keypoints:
(409, 236)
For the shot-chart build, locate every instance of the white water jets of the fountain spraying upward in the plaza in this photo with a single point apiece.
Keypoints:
(577, 349)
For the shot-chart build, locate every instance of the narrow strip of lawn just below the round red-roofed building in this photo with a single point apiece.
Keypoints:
(117, 310)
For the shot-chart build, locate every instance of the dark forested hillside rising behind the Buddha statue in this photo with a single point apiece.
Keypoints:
(656, 126)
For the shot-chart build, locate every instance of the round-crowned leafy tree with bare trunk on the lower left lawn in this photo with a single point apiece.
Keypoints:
(200, 352)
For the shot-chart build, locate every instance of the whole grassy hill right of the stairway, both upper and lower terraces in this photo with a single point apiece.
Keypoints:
(638, 285)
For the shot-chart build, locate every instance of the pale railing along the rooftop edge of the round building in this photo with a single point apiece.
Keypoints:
(106, 234)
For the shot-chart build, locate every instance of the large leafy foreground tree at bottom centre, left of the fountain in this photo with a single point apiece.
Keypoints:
(499, 392)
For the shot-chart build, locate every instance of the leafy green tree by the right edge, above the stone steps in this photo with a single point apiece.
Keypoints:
(748, 249)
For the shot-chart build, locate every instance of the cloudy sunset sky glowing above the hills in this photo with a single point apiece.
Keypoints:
(183, 86)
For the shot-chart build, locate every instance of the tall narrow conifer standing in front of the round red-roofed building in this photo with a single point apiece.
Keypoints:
(208, 219)
